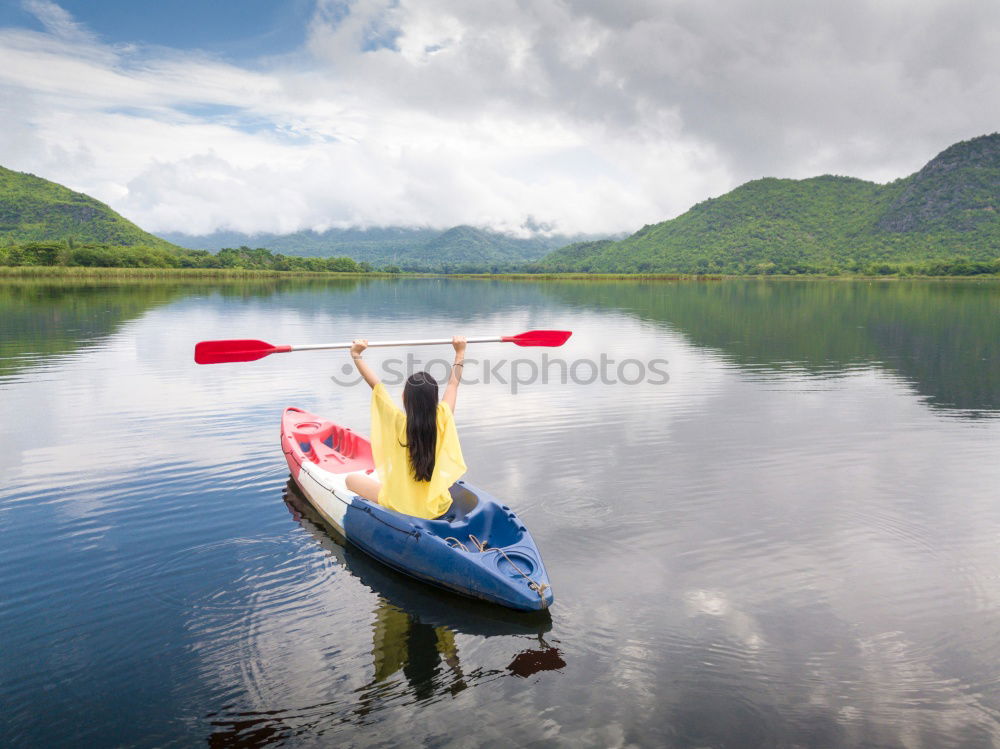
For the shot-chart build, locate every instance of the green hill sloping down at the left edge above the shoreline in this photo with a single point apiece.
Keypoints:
(33, 209)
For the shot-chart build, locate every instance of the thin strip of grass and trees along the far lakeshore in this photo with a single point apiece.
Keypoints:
(230, 274)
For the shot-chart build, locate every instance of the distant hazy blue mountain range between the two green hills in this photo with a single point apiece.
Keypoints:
(411, 248)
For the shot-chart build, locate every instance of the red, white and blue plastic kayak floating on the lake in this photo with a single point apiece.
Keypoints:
(478, 548)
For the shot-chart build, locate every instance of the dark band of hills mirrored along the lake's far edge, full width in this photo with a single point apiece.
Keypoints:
(943, 337)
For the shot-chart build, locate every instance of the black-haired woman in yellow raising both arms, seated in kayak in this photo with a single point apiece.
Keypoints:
(417, 455)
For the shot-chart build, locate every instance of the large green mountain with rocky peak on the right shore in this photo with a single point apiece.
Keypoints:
(949, 209)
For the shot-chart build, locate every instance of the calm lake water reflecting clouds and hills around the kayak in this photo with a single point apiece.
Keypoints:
(792, 542)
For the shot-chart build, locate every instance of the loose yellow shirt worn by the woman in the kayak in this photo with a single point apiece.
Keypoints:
(400, 490)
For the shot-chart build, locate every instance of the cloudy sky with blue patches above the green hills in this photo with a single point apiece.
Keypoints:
(569, 116)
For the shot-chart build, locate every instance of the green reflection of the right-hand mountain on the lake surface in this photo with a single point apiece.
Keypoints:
(942, 337)
